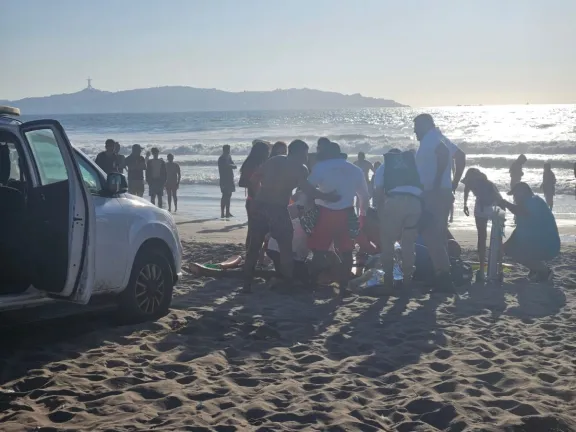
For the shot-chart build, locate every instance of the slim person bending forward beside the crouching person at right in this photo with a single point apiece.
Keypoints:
(487, 196)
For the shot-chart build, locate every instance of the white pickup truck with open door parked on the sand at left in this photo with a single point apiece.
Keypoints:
(69, 232)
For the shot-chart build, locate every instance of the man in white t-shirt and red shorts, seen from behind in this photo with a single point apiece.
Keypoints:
(335, 174)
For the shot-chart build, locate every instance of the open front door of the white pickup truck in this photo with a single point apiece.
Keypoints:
(62, 218)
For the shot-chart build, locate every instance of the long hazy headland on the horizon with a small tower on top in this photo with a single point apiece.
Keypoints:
(183, 99)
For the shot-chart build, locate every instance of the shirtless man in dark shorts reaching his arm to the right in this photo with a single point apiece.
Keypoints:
(279, 176)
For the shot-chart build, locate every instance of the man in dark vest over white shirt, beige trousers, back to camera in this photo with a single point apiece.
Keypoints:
(398, 195)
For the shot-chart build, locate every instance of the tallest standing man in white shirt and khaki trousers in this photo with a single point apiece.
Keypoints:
(434, 160)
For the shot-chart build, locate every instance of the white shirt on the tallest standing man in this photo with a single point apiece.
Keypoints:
(426, 160)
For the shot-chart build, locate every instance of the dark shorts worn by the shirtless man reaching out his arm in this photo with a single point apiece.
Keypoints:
(270, 218)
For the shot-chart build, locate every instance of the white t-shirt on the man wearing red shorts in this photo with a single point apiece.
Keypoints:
(342, 177)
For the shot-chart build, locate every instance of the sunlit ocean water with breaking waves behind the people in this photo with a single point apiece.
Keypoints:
(491, 136)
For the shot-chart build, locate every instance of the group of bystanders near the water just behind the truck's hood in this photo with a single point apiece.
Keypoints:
(159, 175)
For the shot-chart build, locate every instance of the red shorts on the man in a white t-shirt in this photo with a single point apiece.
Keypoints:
(331, 226)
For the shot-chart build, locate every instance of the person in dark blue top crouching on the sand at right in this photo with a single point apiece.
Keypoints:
(535, 239)
